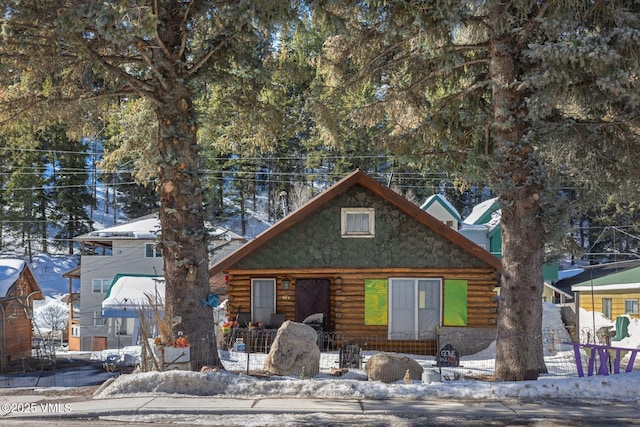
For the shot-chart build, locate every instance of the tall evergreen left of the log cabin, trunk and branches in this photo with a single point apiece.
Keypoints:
(163, 51)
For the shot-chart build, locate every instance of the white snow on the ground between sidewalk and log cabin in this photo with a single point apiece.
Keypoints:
(354, 384)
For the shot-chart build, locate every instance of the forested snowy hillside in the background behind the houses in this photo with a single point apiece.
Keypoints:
(53, 188)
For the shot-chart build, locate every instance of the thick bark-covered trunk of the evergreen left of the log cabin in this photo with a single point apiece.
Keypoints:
(184, 237)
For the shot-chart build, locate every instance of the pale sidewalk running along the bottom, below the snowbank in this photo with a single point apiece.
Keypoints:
(39, 406)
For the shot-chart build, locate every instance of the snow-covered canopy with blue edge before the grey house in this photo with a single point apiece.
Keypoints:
(128, 294)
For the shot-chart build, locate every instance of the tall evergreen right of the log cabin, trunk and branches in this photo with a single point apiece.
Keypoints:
(497, 89)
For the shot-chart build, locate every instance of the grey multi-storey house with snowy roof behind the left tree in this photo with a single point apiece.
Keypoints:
(125, 249)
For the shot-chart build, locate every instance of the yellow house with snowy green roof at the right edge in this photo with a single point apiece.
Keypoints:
(613, 295)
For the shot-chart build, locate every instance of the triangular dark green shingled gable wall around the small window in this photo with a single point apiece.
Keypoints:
(400, 241)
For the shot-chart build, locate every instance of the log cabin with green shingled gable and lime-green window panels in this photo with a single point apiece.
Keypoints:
(372, 263)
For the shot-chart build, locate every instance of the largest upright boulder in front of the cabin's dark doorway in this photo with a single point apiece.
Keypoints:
(294, 351)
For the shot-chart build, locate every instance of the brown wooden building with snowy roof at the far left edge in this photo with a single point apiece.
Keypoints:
(18, 289)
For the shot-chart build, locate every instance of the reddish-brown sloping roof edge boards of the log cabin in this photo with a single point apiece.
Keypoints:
(357, 178)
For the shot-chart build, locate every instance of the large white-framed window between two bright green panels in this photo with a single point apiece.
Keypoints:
(414, 308)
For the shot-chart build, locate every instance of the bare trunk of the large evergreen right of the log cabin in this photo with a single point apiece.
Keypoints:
(519, 346)
